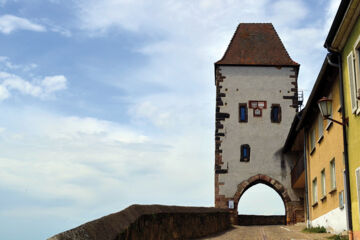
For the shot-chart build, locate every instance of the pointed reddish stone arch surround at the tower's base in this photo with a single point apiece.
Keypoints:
(291, 207)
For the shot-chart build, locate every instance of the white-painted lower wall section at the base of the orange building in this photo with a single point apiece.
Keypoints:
(334, 221)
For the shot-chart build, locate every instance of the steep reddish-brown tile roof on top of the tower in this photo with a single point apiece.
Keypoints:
(256, 44)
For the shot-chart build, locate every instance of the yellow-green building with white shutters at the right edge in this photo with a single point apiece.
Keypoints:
(344, 40)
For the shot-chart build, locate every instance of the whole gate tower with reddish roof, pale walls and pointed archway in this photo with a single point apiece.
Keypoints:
(256, 101)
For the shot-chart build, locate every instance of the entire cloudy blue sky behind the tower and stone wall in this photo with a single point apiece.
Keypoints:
(109, 103)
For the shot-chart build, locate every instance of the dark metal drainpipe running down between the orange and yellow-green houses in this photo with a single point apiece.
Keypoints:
(346, 156)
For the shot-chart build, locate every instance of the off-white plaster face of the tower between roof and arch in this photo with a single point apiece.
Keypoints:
(264, 137)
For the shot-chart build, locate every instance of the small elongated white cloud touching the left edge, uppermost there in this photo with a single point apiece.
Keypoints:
(11, 23)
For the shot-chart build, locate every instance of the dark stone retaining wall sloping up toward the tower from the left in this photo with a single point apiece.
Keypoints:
(152, 222)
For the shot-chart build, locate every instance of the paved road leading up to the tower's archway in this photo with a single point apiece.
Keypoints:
(266, 233)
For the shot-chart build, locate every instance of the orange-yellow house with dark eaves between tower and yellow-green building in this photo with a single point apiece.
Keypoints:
(324, 155)
